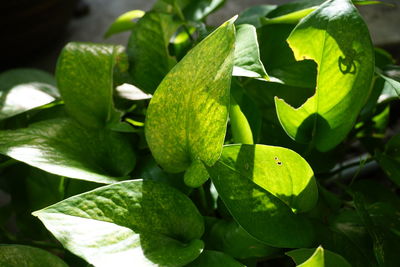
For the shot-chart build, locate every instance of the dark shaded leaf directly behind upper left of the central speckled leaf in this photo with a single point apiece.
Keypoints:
(147, 49)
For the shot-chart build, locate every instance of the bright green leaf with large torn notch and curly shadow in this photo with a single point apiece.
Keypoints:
(345, 60)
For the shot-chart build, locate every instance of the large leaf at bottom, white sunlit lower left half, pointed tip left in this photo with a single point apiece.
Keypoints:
(140, 222)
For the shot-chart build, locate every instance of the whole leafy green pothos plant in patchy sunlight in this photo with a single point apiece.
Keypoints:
(242, 145)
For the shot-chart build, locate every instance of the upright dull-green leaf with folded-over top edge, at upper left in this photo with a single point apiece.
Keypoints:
(85, 78)
